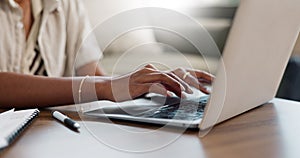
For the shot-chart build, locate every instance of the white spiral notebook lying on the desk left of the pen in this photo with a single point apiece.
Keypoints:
(12, 123)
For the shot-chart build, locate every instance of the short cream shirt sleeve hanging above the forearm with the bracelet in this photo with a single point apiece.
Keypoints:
(81, 47)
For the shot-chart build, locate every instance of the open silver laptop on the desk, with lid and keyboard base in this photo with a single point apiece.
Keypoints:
(254, 59)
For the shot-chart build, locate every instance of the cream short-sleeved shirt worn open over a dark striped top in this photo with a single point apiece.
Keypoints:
(65, 38)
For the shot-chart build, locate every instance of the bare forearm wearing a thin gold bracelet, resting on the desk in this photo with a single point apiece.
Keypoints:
(22, 91)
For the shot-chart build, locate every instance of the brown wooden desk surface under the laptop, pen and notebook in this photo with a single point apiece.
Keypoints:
(269, 131)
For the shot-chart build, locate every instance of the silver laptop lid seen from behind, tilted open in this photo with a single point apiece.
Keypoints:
(254, 59)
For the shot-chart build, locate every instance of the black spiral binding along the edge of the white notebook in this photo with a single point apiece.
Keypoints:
(22, 127)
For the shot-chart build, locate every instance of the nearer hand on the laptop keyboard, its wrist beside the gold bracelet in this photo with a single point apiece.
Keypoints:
(145, 80)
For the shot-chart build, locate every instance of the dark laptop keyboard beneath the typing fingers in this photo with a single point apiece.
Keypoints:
(176, 108)
